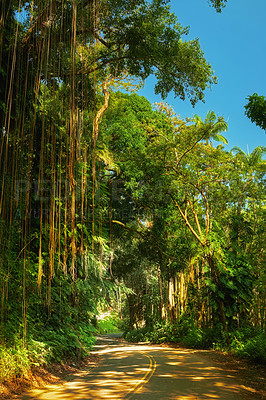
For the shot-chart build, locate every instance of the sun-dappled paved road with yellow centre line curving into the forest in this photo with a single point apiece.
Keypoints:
(143, 372)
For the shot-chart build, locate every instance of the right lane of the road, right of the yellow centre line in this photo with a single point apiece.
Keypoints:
(186, 376)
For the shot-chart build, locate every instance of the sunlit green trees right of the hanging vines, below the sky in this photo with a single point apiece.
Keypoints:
(199, 204)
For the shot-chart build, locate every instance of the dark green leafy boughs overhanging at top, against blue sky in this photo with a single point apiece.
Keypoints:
(147, 40)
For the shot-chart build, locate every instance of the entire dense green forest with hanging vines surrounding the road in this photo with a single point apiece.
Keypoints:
(108, 201)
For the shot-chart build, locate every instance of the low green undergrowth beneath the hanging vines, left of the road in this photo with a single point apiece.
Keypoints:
(54, 333)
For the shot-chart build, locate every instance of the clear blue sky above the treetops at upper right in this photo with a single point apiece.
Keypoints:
(234, 43)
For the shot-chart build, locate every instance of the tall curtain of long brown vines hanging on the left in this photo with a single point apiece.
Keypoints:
(49, 130)
